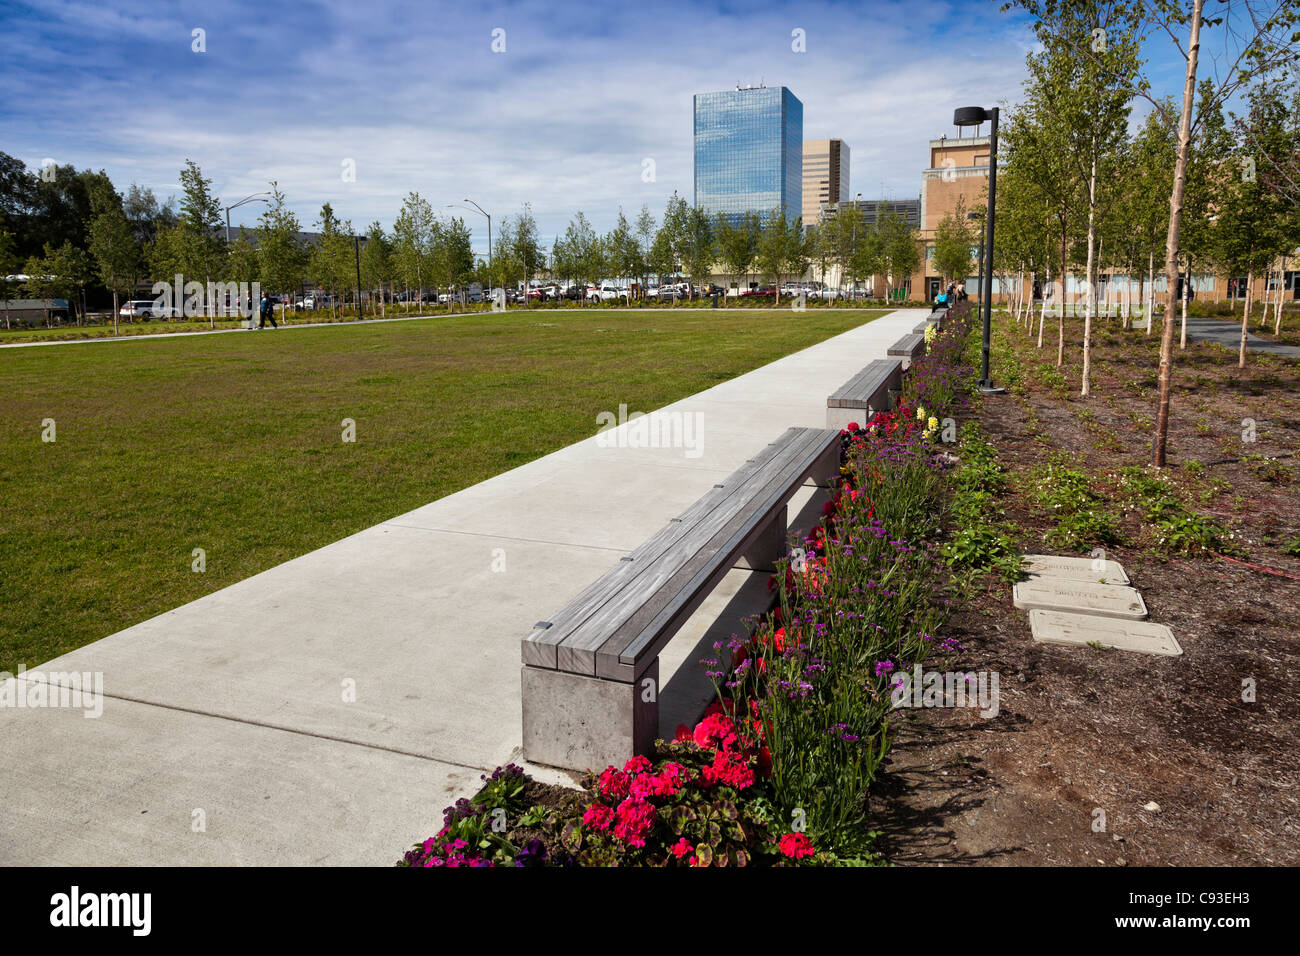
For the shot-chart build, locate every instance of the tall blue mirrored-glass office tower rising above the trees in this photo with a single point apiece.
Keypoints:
(749, 153)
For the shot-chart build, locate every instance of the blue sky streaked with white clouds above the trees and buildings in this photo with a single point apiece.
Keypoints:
(414, 94)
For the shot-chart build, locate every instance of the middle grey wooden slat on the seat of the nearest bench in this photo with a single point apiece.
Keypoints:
(577, 654)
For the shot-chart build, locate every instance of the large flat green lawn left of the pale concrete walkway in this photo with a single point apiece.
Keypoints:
(233, 443)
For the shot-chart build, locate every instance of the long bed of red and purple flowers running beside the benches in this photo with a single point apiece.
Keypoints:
(781, 768)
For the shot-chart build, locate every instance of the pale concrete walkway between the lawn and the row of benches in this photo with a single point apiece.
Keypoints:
(326, 711)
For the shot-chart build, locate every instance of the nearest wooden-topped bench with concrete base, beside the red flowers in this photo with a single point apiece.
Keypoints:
(591, 676)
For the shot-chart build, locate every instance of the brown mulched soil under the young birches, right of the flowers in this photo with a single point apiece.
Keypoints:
(1082, 730)
